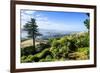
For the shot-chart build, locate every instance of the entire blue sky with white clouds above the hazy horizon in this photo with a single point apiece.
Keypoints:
(52, 20)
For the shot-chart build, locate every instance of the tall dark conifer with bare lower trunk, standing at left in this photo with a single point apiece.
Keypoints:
(32, 29)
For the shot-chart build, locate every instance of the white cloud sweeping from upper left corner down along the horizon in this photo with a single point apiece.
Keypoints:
(44, 22)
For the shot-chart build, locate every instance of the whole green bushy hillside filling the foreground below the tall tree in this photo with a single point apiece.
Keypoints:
(70, 47)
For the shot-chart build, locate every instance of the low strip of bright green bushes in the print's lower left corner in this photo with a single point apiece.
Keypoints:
(37, 57)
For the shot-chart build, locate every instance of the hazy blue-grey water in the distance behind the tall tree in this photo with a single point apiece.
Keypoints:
(48, 33)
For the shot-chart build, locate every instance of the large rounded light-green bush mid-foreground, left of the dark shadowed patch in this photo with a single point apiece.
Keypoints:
(59, 49)
